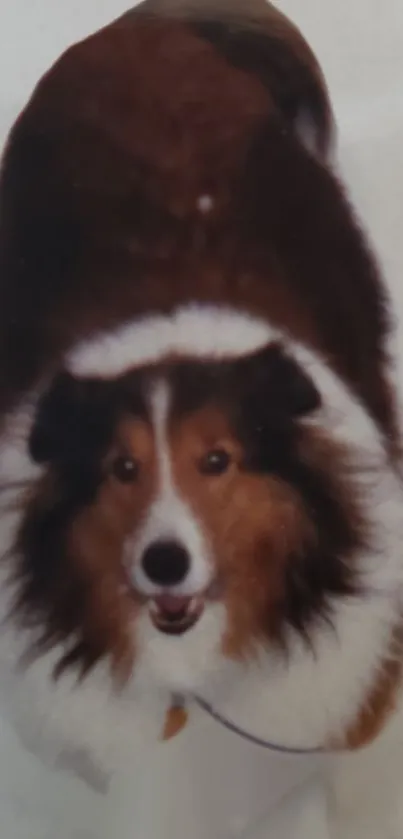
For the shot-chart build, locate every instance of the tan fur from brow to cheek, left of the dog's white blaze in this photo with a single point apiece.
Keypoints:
(96, 544)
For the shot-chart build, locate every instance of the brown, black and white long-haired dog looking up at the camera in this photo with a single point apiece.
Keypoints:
(200, 446)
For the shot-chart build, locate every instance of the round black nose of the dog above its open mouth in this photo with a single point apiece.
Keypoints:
(166, 563)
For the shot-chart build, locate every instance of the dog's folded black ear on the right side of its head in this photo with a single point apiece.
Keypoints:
(275, 384)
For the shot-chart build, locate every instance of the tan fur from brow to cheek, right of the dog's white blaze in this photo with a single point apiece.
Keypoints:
(253, 524)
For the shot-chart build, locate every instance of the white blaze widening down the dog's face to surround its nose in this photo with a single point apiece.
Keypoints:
(169, 517)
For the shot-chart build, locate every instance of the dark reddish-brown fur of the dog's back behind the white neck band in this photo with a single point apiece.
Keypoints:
(99, 223)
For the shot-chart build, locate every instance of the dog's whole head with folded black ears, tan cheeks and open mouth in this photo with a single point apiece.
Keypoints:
(184, 501)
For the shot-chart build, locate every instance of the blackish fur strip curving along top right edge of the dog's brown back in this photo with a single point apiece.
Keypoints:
(255, 36)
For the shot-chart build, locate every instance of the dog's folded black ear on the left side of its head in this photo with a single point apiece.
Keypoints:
(72, 420)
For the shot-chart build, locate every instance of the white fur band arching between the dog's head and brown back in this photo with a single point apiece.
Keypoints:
(196, 330)
